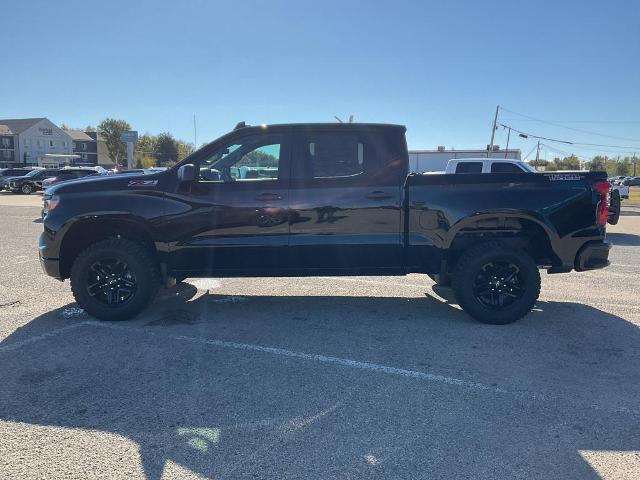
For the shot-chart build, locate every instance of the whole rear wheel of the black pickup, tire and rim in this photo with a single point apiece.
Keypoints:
(496, 284)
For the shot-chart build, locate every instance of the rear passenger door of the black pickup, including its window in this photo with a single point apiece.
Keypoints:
(345, 200)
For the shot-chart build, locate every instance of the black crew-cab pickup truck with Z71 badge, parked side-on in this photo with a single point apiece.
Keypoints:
(322, 199)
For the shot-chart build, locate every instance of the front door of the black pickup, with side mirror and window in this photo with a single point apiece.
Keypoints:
(234, 217)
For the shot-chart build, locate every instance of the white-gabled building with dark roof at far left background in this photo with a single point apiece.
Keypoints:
(34, 141)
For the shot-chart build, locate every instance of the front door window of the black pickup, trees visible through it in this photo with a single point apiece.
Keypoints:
(253, 158)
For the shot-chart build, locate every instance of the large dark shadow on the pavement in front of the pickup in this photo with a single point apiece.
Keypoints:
(231, 413)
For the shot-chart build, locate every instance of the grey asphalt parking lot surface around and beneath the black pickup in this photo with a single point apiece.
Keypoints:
(318, 377)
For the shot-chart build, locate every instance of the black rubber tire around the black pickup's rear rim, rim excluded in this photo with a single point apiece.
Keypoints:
(470, 265)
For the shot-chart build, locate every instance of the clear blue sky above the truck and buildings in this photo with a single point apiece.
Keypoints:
(438, 67)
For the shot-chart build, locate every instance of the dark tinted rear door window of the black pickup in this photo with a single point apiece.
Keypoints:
(335, 155)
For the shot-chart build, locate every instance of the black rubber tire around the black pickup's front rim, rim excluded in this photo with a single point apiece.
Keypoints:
(140, 261)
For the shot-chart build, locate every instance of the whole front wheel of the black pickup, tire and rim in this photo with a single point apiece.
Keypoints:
(114, 279)
